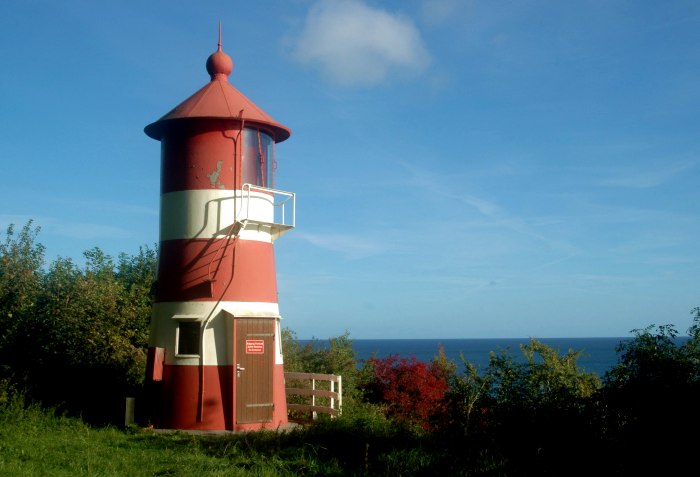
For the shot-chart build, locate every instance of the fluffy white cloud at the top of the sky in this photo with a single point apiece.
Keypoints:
(354, 44)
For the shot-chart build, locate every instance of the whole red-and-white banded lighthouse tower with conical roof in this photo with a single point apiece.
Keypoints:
(215, 360)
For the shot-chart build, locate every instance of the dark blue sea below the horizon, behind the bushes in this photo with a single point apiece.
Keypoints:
(597, 355)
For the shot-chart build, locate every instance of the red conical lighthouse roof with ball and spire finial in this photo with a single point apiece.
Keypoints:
(218, 99)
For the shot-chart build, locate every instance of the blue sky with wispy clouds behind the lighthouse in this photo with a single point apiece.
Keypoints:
(463, 169)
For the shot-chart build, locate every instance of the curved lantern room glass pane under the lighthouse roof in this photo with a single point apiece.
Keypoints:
(258, 157)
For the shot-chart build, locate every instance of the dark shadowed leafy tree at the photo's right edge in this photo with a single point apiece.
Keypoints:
(650, 398)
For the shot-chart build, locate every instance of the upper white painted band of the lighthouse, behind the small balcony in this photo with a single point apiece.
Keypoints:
(209, 213)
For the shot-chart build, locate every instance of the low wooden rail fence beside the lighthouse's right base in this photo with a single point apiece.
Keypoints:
(313, 393)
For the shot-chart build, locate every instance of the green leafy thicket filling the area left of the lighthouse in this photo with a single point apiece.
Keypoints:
(74, 338)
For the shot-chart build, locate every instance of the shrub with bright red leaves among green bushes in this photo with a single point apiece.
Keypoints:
(413, 391)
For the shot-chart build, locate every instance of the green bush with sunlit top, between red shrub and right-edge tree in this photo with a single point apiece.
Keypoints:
(535, 410)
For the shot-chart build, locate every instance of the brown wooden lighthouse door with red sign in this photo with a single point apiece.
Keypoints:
(254, 353)
